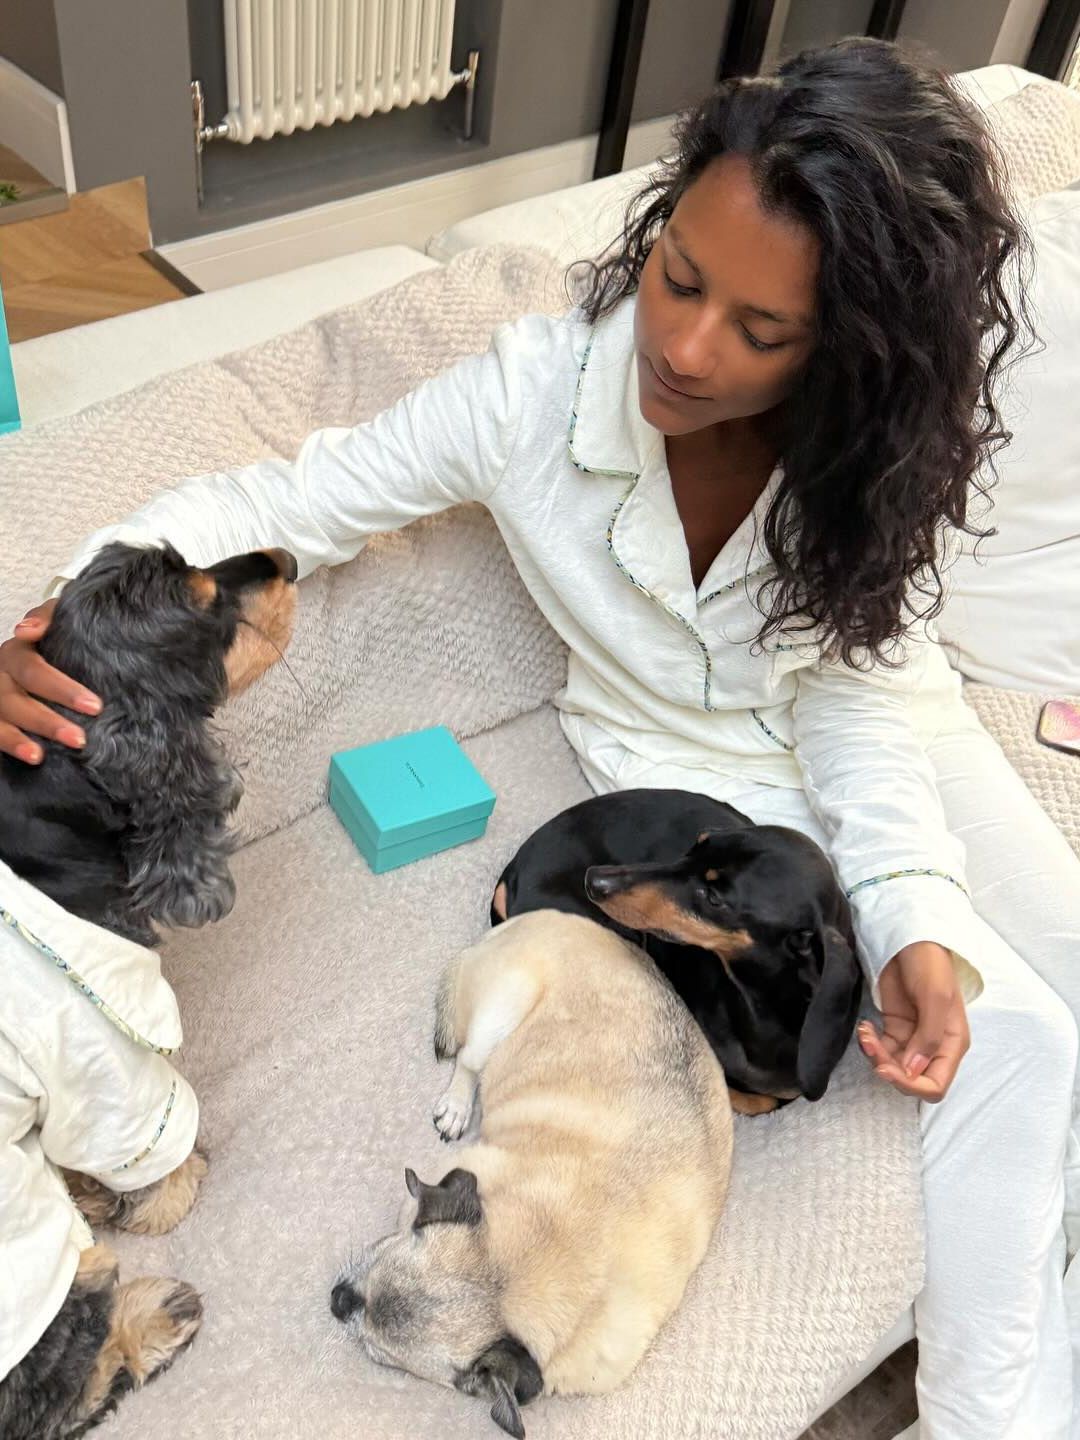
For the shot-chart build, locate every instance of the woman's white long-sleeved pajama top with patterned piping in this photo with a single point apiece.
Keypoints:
(545, 430)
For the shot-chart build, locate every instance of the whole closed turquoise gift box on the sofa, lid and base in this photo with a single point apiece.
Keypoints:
(410, 797)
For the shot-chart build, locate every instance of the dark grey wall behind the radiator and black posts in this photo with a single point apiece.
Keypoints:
(127, 68)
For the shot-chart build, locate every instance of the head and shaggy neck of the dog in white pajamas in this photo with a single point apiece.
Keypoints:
(133, 830)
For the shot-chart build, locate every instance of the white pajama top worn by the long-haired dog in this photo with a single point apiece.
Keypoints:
(86, 1025)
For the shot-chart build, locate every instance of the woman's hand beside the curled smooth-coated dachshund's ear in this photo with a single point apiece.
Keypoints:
(925, 1023)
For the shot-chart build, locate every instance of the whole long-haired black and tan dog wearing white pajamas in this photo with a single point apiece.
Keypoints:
(100, 847)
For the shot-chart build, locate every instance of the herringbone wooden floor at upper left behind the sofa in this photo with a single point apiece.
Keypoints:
(87, 263)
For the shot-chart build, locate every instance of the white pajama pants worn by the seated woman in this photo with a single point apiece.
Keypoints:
(999, 1320)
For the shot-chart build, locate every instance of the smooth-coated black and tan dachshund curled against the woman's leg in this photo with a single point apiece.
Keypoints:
(747, 921)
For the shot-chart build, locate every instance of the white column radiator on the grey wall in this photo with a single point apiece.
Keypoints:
(299, 64)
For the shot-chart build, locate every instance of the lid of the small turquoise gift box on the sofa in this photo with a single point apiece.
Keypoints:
(413, 786)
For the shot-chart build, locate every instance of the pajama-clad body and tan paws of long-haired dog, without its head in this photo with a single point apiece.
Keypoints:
(86, 1026)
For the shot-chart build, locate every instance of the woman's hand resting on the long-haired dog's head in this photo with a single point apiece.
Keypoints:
(25, 680)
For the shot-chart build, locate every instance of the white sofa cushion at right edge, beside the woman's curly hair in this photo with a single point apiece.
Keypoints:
(1014, 613)
